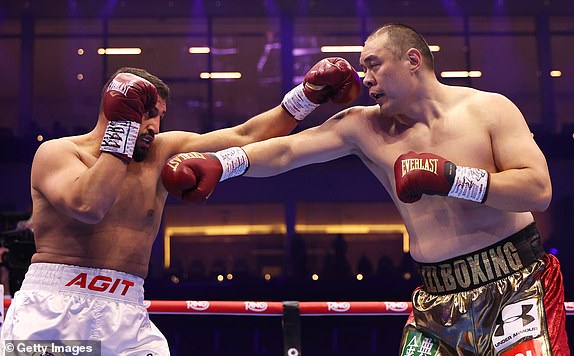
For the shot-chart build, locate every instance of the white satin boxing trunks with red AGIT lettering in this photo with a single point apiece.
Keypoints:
(63, 302)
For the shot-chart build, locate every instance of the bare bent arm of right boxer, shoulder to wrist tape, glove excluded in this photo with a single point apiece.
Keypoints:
(522, 181)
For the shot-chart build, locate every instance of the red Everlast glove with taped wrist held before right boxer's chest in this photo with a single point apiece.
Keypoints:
(426, 173)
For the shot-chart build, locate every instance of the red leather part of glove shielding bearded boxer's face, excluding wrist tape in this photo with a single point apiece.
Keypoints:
(128, 97)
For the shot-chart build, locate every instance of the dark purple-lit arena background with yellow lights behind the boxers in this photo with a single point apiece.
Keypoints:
(305, 235)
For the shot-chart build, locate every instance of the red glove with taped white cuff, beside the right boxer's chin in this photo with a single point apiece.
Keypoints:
(332, 79)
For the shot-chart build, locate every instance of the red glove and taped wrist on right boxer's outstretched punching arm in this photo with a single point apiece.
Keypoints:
(193, 176)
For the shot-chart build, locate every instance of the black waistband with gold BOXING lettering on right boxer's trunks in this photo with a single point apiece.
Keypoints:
(484, 266)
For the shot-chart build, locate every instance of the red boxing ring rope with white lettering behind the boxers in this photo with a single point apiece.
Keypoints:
(277, 308)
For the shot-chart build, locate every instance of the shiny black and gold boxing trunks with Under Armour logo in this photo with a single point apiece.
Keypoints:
(505, 300)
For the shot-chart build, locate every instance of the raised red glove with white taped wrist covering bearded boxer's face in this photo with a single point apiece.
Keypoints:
(126, 99)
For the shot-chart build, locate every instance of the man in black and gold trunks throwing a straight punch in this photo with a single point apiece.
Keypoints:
(464, 172)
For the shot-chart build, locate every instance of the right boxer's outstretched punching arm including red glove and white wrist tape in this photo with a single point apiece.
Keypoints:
(193, 176)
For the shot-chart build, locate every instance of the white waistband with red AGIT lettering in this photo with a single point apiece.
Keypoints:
(96, 282)
